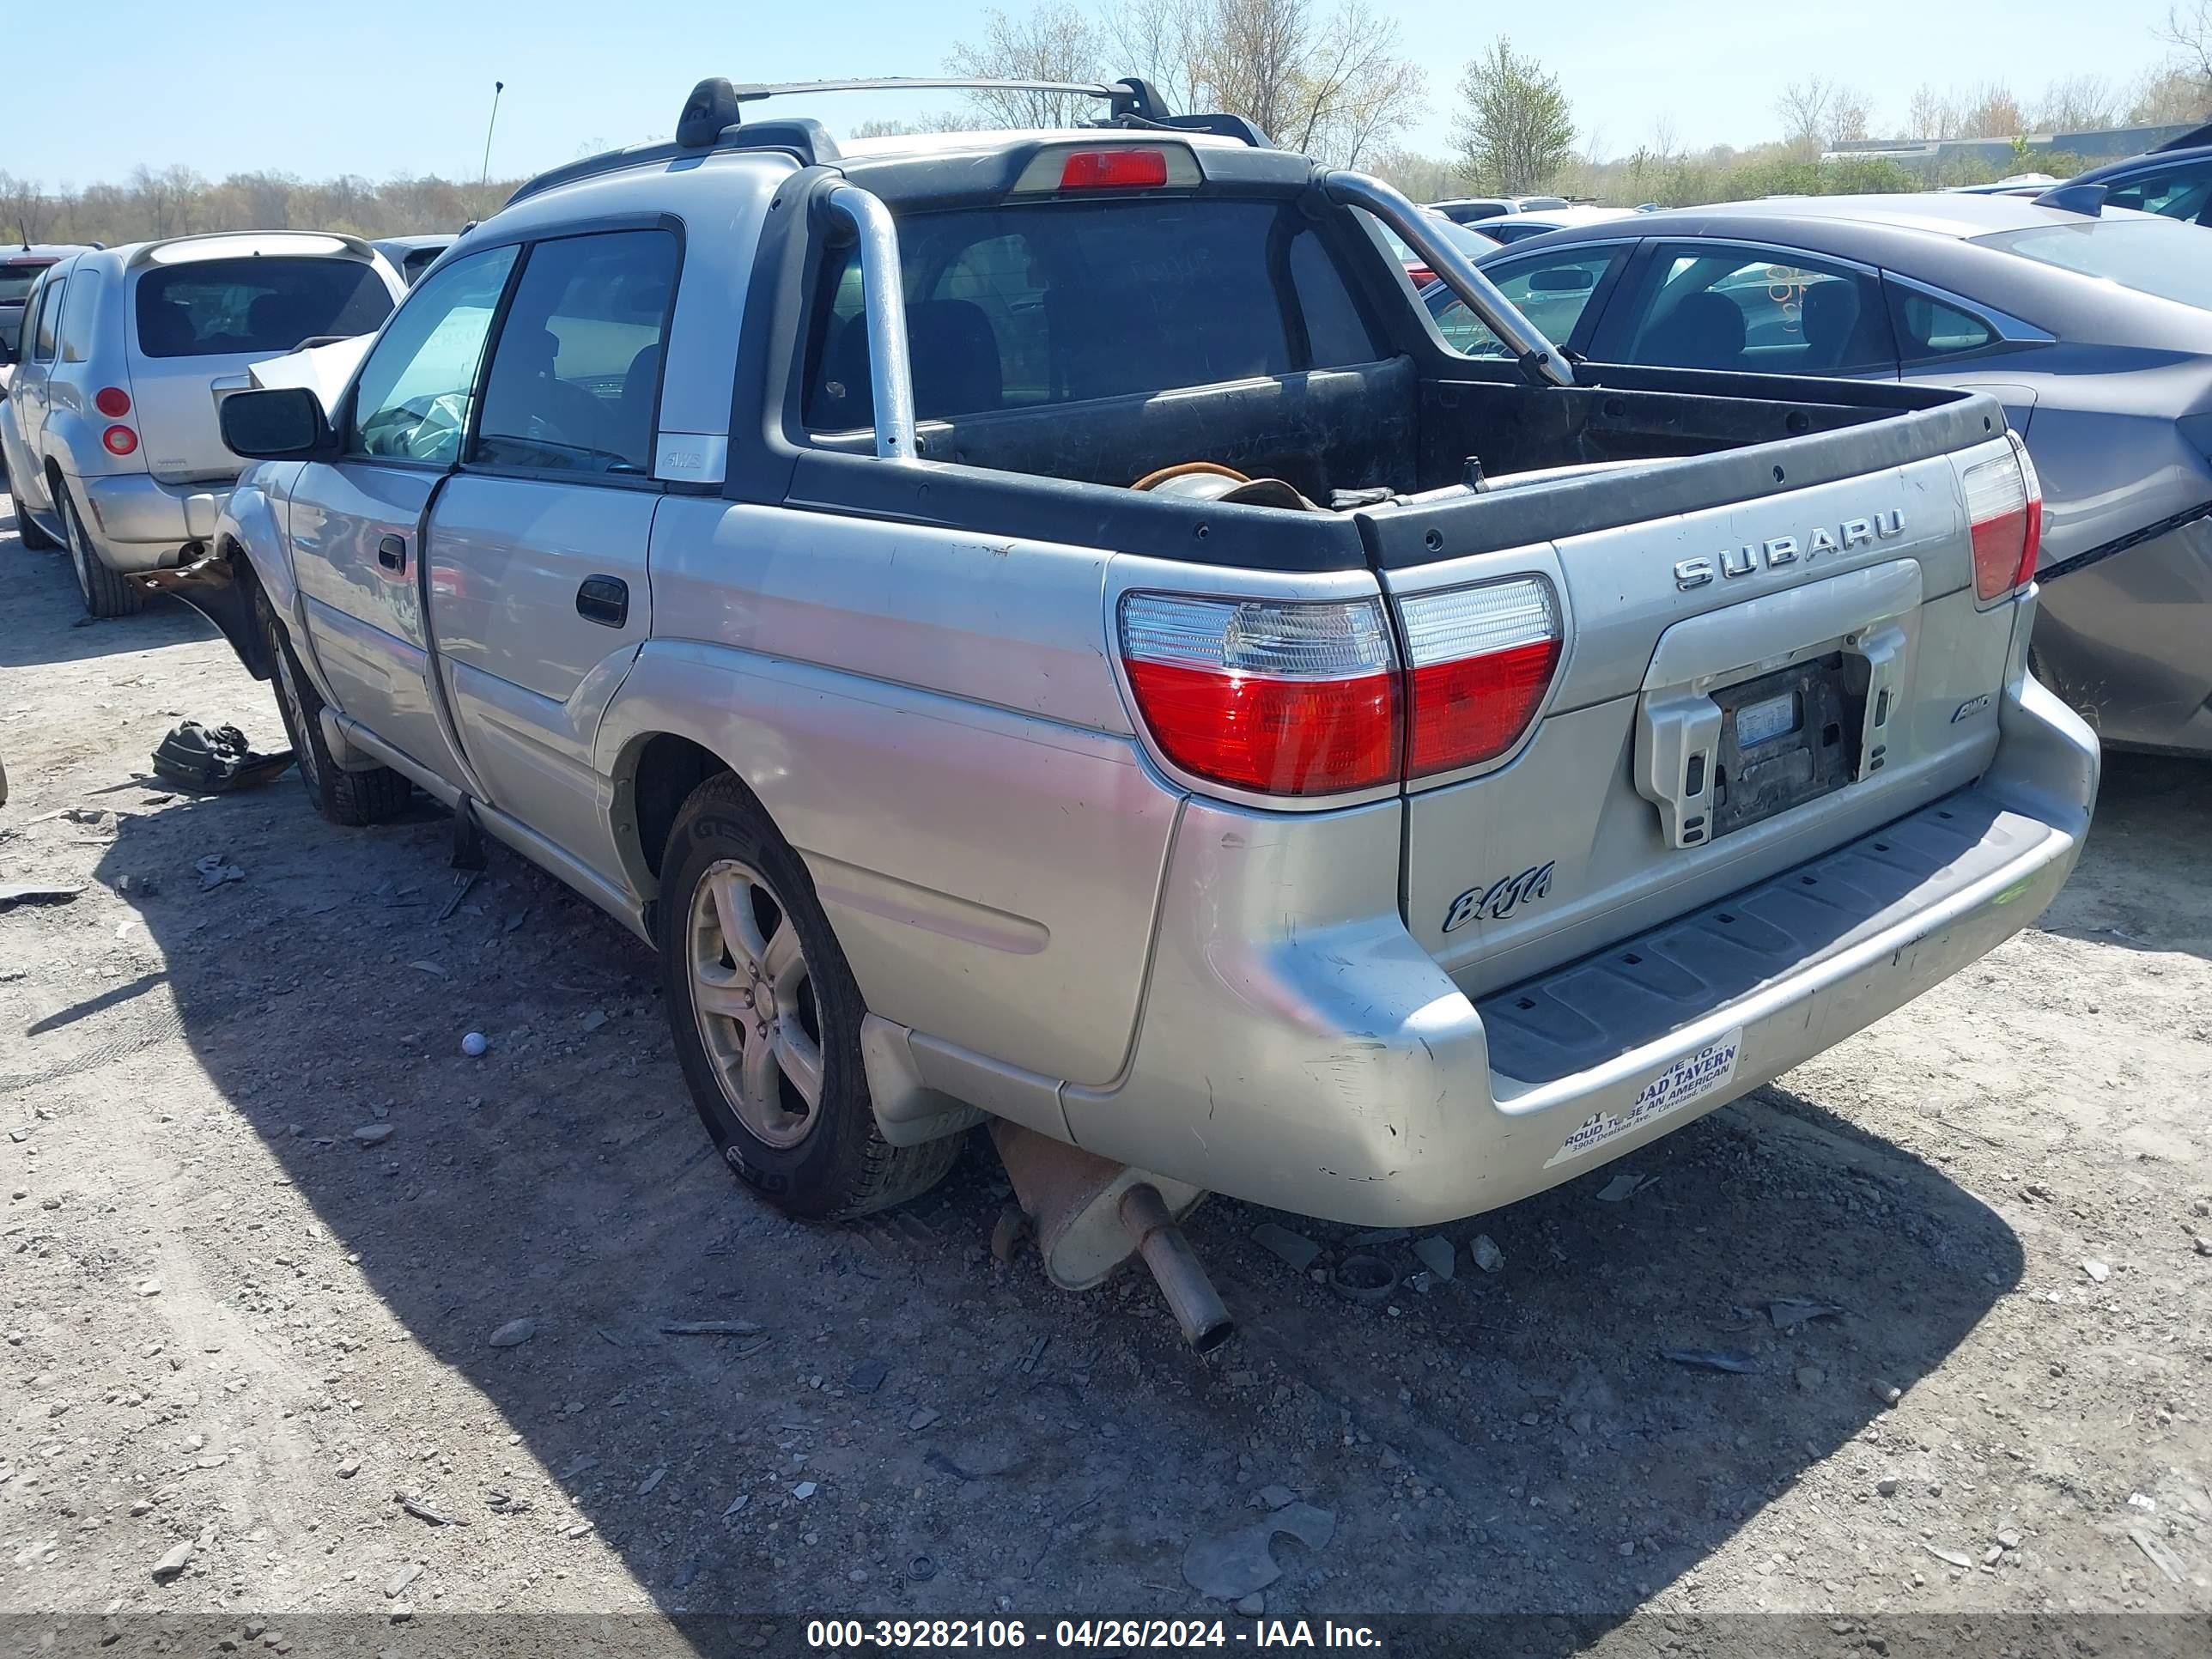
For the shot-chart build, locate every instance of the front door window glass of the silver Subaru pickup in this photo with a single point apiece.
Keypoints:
(413, 399)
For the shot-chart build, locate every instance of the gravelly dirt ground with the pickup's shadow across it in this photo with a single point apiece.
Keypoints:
(262, 1222)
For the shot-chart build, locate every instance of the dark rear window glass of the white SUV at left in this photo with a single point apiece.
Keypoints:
(229, 306)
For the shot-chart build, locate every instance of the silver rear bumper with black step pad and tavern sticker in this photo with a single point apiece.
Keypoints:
(1324, 1063)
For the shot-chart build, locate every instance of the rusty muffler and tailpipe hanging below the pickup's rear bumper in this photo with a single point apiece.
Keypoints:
(1092, 1215)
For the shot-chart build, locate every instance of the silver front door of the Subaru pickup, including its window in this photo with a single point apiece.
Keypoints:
(357, 523)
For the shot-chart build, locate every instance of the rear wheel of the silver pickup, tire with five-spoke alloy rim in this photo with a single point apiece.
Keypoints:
(747, 1061)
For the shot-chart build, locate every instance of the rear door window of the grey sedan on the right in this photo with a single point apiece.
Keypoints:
(1762, 313)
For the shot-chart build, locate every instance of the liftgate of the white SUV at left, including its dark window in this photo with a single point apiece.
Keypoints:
(196, 324)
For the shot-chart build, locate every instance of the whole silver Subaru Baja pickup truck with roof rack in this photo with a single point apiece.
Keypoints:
(1041, 629)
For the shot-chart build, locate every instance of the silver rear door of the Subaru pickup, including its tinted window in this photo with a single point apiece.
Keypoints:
(539, 547)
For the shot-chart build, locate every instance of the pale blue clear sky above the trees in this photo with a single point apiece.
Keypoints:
(401, 87)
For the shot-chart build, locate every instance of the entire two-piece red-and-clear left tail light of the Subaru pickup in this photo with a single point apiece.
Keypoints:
(1288, 698)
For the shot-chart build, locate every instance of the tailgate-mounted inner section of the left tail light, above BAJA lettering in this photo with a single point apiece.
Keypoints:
(1479, 665)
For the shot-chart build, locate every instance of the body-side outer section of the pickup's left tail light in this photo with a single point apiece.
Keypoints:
(1269, 696)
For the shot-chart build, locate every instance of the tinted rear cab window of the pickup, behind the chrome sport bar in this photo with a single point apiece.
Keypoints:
(1041, 304)
